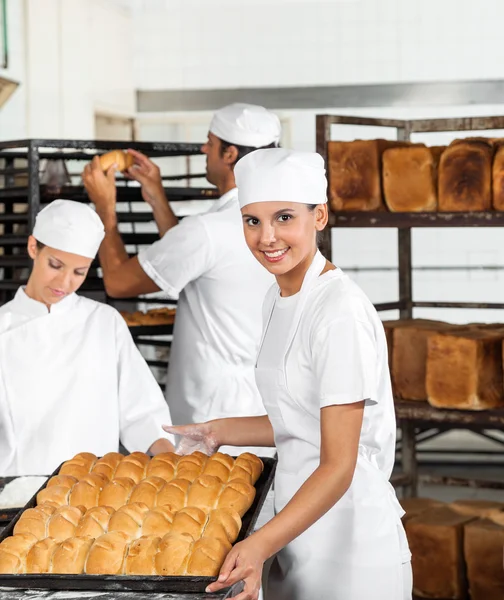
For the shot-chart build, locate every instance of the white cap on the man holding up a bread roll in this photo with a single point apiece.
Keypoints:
(246, 125)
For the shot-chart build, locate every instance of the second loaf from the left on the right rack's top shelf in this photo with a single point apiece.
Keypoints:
(410, 179)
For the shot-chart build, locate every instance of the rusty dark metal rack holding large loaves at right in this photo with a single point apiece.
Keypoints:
(420, 421)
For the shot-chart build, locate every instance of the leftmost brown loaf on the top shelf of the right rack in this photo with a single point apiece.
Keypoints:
(354, 173)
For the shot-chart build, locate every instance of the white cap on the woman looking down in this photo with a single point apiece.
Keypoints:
(71, 227)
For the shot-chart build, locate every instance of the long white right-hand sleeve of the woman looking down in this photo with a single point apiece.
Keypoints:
(142, 407)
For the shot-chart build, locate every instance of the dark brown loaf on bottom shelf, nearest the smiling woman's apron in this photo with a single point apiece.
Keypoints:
(436, 542)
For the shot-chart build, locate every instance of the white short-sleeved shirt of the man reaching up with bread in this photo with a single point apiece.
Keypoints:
(221, 288)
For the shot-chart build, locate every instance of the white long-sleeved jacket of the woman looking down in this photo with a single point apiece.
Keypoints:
(71, 380)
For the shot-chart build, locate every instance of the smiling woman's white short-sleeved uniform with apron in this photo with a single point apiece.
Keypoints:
(322, 347)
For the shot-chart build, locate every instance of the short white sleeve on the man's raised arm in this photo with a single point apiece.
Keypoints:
(182, 255)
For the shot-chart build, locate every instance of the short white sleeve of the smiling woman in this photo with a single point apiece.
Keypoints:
(344, 357)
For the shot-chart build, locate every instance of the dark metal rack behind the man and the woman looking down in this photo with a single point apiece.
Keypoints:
(22, 196)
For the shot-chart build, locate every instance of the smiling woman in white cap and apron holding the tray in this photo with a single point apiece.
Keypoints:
(323, 376)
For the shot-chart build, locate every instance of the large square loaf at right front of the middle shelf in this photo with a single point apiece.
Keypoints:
(464, 369)
